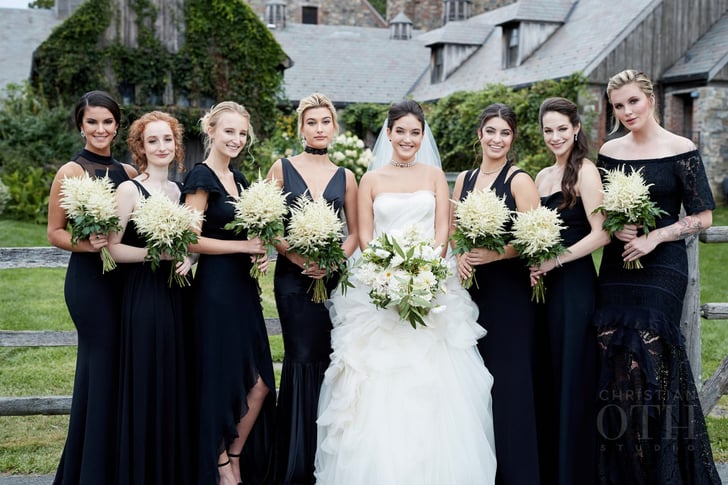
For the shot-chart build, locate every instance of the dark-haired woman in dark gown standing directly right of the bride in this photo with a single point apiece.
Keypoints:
(503, 296)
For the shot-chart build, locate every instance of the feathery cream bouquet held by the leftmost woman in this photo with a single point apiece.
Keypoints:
(90, 208)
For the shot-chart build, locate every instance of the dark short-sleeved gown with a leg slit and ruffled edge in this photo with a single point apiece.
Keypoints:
(231, 342)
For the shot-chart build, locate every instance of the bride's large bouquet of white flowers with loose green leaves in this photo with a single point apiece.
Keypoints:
(404, 271)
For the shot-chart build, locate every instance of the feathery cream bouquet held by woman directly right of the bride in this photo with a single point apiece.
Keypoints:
(481, 219)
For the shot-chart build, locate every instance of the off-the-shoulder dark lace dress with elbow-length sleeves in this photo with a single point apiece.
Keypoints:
(651, 427)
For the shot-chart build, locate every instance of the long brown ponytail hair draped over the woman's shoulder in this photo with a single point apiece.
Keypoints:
(579, 150)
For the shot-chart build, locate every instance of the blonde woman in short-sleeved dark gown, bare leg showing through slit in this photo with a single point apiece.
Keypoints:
(235, 383)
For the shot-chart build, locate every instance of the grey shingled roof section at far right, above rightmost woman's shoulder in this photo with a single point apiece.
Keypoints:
(705, 58)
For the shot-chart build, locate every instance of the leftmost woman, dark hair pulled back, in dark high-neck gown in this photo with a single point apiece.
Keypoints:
(89, 455)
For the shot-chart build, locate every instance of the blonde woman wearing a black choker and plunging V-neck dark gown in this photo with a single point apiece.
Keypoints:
(306, 325)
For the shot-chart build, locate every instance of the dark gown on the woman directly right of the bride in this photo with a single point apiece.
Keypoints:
(503, 296)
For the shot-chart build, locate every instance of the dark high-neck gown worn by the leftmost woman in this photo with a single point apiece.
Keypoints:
(89, 455)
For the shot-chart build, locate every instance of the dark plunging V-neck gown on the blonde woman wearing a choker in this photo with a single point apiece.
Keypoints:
(306, 328)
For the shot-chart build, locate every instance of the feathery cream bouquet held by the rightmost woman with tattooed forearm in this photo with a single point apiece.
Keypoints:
(627, 201)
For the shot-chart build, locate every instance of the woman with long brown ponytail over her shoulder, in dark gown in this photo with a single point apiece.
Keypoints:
(566, 376)
